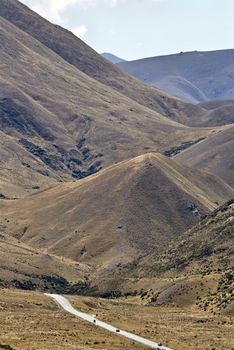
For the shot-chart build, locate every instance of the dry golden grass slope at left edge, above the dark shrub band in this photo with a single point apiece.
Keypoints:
(22, 263)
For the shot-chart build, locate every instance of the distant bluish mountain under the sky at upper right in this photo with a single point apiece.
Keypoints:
(191, 76)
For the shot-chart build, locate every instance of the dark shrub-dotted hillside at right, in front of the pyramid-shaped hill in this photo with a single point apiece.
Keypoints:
(205, 248)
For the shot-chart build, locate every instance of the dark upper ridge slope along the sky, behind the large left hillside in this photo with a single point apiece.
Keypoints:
(77, 53)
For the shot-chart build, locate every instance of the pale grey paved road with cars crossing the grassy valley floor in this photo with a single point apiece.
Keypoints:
(65, 304)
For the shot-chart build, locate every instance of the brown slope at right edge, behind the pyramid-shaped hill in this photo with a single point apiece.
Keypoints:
(214, 155)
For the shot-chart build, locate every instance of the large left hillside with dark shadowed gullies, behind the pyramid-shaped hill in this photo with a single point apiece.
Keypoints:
(58, 124)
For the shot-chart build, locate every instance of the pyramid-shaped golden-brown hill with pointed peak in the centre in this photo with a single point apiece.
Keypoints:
(153, 199)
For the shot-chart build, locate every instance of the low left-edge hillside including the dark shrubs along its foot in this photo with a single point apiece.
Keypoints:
(27, 268)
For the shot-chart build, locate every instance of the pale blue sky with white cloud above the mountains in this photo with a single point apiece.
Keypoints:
(133, 29)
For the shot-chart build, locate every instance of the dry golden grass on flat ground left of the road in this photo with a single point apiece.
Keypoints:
(31, 321)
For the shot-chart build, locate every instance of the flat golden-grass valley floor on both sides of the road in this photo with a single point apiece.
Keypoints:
(31, 321)
